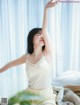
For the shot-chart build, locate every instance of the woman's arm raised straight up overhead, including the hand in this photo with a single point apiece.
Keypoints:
(45, 34)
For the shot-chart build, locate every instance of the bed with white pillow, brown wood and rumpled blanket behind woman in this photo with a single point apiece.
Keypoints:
(68, 88)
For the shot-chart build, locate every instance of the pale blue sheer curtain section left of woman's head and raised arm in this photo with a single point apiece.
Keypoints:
(17, 18)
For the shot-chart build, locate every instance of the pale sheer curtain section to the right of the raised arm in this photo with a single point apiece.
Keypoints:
(64, 20)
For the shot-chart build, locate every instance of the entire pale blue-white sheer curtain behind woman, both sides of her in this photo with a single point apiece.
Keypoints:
(17, 18)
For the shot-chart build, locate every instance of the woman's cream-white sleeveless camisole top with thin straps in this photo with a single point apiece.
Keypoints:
(39, 74)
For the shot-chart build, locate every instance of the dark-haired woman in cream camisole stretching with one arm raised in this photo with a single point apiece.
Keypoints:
(38, 61)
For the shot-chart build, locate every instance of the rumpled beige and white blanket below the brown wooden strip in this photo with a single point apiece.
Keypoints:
(65, 96)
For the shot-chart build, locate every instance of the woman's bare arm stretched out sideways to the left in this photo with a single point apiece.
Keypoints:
(13, 63)
